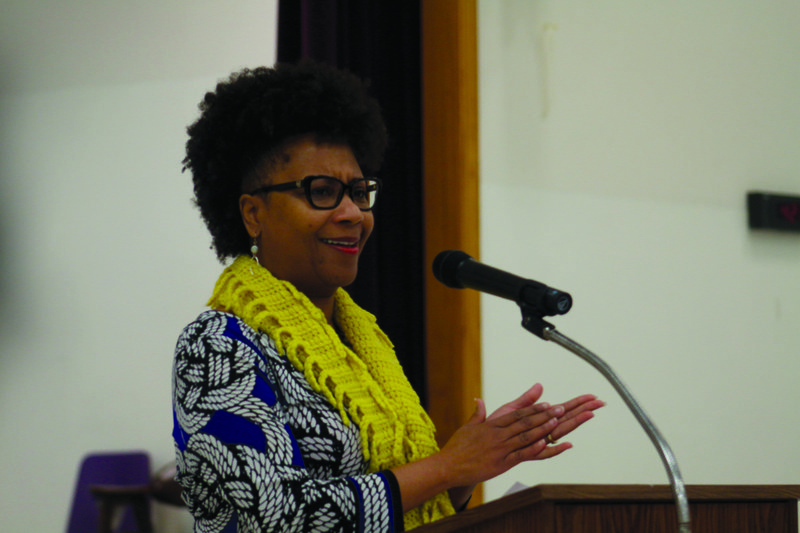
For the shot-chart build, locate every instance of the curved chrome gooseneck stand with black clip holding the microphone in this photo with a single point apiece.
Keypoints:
(533, 322)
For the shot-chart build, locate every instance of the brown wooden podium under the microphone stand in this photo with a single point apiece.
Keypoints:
(630, 509)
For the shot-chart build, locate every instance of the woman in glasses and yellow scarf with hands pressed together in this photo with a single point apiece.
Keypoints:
(291, 410)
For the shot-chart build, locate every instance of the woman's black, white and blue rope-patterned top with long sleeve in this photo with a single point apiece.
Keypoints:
(242, 465)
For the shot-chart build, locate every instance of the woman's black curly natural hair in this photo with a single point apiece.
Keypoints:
(246, 123)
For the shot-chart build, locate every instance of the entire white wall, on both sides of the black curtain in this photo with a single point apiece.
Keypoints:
(615, 161)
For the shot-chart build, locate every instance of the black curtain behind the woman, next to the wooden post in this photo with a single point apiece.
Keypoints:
(380, 42)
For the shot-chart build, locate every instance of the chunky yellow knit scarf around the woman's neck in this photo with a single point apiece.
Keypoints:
(366, 384)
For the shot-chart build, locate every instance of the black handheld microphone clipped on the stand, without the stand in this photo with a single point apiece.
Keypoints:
(458, 270)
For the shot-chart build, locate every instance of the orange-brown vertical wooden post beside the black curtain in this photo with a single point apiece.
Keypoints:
(451, 191)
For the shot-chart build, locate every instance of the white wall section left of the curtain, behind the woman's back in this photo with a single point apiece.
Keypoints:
(104, 258)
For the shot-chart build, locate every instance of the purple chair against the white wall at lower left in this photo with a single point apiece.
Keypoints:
(109, 481)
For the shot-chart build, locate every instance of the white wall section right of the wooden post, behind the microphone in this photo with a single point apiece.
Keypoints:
(618, 141)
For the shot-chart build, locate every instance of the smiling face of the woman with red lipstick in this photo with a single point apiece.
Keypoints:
(316, 250)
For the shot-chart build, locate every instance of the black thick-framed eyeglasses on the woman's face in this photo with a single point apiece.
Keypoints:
(325, 192)
